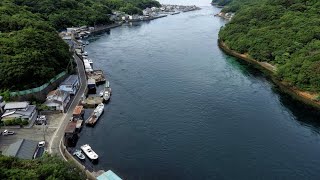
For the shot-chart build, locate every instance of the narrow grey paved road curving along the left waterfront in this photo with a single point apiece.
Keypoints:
(55, 141)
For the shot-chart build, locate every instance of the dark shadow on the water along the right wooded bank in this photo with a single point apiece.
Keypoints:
(304, 114)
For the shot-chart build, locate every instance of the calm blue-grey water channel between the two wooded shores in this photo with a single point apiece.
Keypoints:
(182, 109)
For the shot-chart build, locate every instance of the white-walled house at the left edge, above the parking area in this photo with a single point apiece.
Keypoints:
(22, 110)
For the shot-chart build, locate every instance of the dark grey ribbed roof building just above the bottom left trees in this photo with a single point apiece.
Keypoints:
(23, 148)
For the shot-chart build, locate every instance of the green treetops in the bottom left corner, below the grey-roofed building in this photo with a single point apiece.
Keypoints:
(46, 167)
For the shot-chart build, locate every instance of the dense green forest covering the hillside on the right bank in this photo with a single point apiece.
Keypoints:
(285, 33)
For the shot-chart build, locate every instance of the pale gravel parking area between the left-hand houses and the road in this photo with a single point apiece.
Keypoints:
(36, 132)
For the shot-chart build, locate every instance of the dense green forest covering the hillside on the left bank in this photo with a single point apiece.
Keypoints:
(31, 52)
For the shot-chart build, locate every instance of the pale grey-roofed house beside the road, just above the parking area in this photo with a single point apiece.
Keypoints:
(57, 100)
